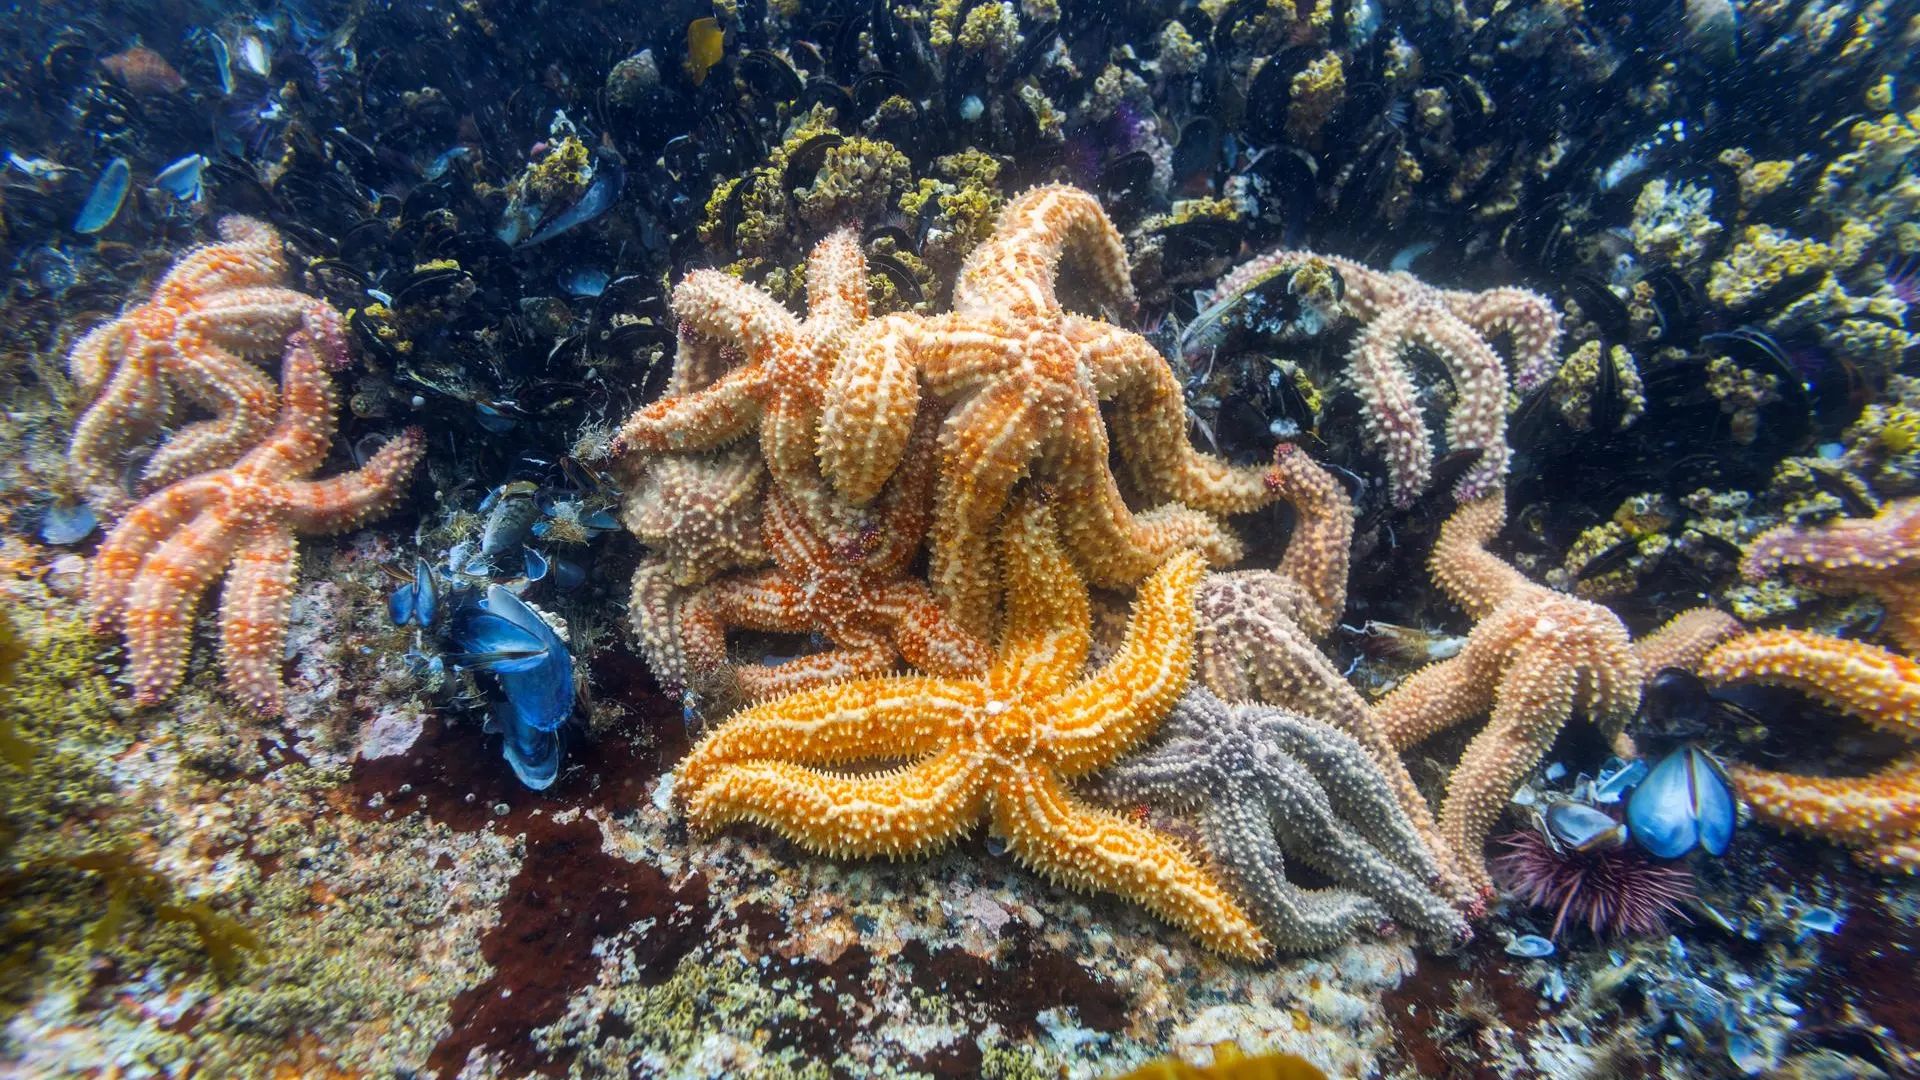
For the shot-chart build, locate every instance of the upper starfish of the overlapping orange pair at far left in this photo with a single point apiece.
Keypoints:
(216, 312)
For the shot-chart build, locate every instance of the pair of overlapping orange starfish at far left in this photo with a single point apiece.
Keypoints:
(237, 491)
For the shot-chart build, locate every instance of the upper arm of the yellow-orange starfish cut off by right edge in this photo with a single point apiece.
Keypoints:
(1867, 681)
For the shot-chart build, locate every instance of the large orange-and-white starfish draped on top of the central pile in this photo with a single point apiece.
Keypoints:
(1026, 383)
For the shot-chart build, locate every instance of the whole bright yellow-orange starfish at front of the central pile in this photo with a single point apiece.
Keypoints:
(1001, 747)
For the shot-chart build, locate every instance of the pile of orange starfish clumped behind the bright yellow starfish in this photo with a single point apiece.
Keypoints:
(886, 435)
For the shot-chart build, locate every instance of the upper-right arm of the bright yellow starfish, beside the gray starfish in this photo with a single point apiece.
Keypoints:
(1118, 706)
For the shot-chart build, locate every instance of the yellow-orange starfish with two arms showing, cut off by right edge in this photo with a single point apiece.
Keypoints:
(1877, 816)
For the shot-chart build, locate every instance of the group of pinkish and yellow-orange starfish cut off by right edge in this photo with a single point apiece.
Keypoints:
(1877, 816)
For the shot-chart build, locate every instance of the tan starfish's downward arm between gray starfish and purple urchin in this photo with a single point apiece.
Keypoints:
(1533, 702)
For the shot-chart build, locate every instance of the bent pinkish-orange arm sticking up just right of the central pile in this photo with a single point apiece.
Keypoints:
(1320, 551)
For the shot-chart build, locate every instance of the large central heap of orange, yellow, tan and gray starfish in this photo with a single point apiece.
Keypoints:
(1015, 441)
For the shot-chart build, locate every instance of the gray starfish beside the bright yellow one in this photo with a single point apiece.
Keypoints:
(1270, 783)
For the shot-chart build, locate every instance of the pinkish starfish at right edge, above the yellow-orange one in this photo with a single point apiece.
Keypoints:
(1858, 554)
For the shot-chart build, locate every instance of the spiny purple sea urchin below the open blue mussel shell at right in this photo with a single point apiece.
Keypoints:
(1614, 891)
